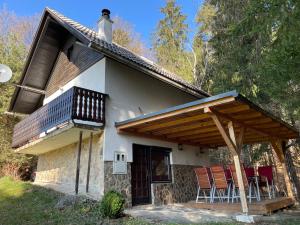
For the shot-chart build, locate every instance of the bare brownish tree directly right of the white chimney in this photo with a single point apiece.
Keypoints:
(124, 35)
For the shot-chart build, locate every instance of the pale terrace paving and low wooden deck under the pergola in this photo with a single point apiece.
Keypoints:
(192, 213)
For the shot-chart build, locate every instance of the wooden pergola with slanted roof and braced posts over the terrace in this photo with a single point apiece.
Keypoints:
(228, 119)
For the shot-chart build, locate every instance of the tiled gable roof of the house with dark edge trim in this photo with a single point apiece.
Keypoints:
(112, 50)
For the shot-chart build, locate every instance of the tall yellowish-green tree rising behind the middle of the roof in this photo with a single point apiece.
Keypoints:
(169, 41)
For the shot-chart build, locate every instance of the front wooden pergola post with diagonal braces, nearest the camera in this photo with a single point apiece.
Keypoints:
(232, 144)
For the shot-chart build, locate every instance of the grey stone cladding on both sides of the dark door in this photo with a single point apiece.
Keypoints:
(182, 189)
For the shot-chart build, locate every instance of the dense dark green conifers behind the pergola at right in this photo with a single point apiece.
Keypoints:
(256, 51)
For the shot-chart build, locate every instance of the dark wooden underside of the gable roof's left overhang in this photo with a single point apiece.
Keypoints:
(38, 65)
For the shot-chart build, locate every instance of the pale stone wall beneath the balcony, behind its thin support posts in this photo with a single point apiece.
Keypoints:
(57, 169)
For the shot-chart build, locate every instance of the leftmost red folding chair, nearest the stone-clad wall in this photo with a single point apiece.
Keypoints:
(204, 183)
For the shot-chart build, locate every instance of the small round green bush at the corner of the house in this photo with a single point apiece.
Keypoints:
(112, 205)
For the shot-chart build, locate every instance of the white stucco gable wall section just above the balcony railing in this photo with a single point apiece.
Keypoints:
(93, 78)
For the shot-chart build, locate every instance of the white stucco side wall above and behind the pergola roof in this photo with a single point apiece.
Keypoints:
(132, 93)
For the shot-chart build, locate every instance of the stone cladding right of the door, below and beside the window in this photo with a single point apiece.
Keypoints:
(182, 189)
